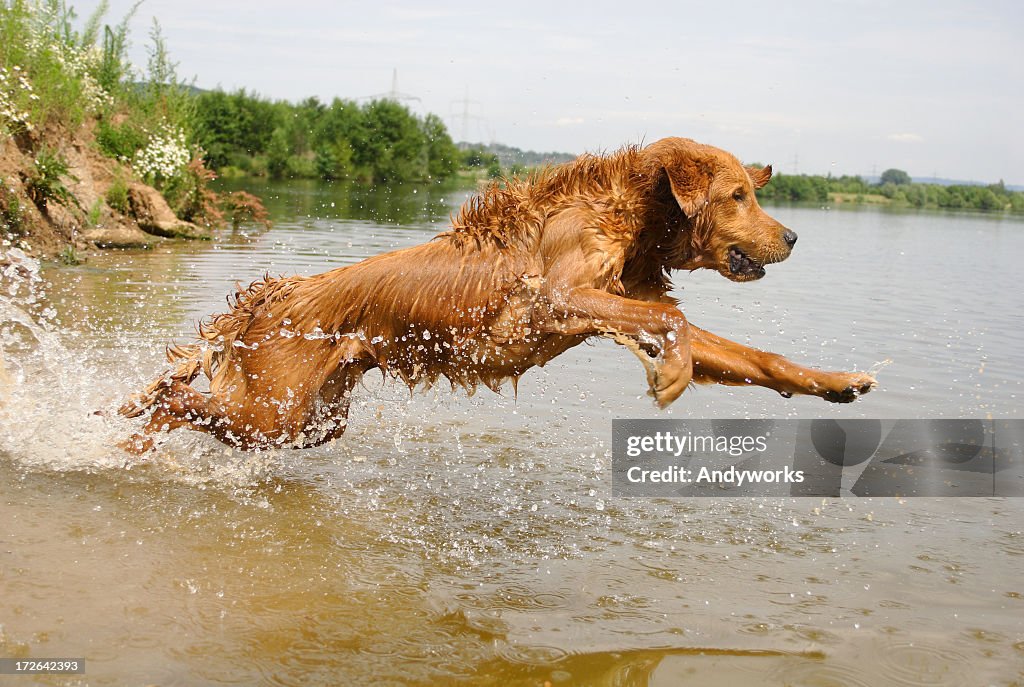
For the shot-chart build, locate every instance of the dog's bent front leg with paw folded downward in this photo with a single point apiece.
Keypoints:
(646, 328)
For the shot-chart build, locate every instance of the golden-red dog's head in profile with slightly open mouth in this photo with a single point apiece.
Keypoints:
(731, 233)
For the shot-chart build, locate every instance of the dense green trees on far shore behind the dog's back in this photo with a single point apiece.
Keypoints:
(375, 142)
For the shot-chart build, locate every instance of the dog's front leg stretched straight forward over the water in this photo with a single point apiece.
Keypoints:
(718, 361)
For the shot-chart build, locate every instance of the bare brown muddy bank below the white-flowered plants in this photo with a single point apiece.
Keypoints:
(95, 203)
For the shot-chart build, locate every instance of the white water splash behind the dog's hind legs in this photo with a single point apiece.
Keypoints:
(59, 397)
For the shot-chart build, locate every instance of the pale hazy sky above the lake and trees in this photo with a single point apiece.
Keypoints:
(856, 88)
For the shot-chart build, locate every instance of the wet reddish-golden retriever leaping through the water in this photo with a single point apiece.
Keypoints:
(529, 270)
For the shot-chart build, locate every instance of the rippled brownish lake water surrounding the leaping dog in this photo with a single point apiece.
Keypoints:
(448, 540)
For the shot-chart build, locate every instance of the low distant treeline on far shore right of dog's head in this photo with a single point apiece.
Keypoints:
(895, 188)
